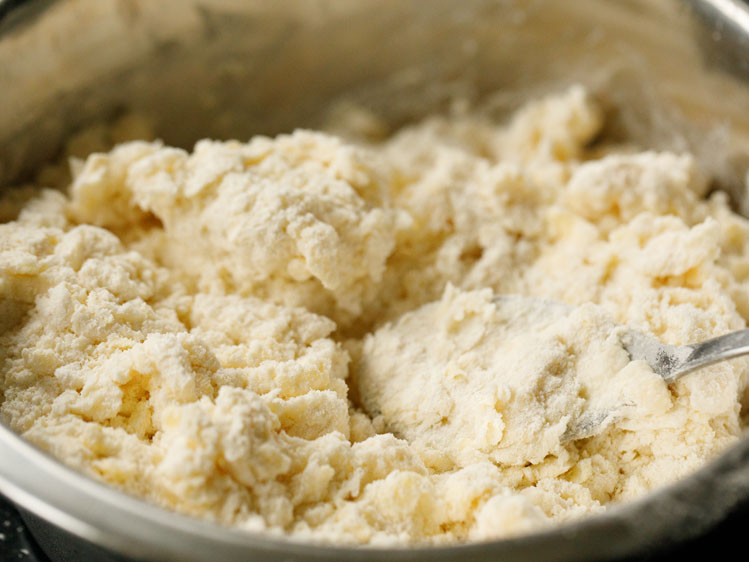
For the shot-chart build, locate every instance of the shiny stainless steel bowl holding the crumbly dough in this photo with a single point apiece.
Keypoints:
(670, 74)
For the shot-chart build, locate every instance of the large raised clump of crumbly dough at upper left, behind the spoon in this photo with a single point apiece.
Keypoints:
(301, 219)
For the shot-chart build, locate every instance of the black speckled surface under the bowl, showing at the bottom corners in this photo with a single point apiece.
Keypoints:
(17, 545)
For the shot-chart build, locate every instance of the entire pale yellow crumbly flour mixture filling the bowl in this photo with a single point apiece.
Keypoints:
(327, 337)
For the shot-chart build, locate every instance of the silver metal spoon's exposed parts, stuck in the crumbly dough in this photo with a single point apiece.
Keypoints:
(671, 362)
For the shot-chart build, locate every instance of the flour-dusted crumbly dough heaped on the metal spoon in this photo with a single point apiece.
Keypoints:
(507, 377)
